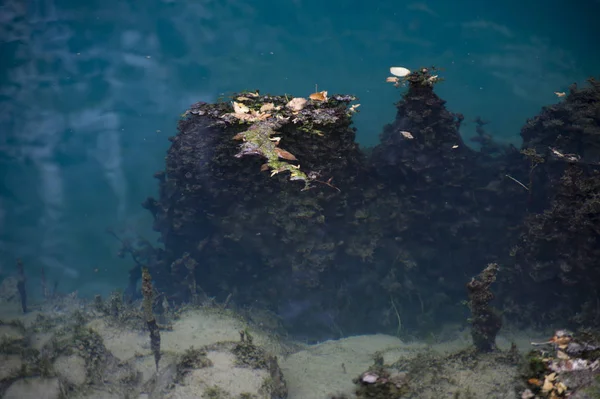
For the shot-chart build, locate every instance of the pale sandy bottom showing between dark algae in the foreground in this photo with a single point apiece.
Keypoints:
(310, 371)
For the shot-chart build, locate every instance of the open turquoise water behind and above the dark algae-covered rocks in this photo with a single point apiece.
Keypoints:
(91, 90)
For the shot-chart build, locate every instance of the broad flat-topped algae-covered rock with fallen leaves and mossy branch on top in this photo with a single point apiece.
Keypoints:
(261, 194)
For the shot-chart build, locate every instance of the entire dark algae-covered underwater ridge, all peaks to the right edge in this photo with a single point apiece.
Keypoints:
(268, 200)
